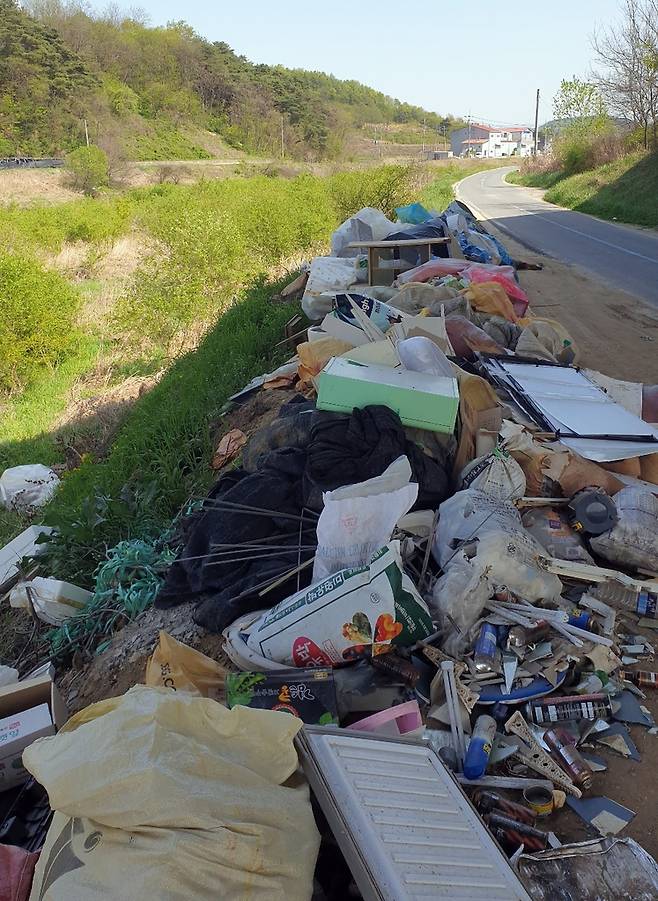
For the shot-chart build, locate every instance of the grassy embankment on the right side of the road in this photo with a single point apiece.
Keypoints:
(625, 190)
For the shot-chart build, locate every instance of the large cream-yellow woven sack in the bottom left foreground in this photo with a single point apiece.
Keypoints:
(159, 794)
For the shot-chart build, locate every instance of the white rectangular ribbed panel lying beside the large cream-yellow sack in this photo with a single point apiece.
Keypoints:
(411, 822)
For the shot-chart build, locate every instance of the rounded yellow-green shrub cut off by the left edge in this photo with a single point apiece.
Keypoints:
(36, 320)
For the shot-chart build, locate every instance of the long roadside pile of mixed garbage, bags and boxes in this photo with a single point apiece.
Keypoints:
(436, 575)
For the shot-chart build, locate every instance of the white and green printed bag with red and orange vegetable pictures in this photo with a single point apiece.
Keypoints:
(353, 613)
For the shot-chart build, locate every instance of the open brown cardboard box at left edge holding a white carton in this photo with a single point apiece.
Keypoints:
(17, 703)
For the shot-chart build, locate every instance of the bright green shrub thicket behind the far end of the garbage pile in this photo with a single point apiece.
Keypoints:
(222, 234)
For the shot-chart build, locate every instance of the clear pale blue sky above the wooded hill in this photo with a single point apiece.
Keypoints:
(483, 57)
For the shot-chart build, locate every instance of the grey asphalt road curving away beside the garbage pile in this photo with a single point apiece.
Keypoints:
(619, 255)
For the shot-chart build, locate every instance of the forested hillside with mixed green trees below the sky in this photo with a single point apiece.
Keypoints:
(147, 93)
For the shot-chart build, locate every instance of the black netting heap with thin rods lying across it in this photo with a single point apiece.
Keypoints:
(341, 450)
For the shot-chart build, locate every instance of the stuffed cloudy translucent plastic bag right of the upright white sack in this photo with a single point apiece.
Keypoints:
(488, 530)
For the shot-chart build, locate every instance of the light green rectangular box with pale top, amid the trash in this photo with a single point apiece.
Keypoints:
(421, 401)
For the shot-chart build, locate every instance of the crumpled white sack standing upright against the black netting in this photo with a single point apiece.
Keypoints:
(359, 519)
